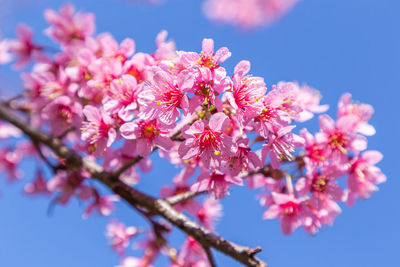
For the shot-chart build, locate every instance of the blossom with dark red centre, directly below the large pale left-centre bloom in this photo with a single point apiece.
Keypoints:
(147, 133)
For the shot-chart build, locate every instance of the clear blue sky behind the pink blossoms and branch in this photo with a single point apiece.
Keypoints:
(333, 45)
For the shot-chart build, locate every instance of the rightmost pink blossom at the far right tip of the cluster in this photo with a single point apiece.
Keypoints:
(364, 176)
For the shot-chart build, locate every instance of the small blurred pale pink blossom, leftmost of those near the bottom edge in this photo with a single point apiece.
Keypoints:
(119, 235)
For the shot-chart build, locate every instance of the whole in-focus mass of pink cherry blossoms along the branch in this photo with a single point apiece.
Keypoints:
(115, 105)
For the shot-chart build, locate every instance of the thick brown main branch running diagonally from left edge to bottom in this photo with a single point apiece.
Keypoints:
(134, 197)
